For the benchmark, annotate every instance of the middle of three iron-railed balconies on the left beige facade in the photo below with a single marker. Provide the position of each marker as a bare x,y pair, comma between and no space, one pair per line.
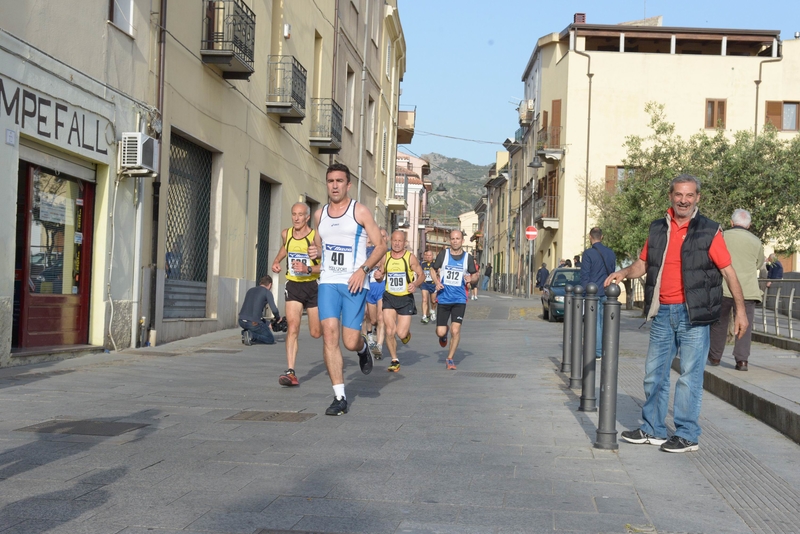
286,91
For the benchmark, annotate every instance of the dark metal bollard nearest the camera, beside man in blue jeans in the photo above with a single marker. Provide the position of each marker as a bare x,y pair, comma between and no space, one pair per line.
607,425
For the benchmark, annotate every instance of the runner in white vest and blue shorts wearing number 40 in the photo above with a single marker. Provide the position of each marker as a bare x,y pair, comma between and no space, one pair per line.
343,226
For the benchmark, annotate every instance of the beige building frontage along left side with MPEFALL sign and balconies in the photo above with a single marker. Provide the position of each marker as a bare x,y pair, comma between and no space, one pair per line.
225,112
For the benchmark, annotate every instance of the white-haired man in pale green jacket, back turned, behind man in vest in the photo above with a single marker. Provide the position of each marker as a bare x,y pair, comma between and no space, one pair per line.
747,257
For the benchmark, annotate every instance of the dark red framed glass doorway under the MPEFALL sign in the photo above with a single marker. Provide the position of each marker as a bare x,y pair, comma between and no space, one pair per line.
52,258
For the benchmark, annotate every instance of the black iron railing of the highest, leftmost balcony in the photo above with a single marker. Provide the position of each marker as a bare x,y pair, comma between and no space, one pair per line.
229,25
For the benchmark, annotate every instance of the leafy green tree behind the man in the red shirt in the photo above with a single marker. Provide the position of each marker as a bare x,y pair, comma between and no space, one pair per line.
759,173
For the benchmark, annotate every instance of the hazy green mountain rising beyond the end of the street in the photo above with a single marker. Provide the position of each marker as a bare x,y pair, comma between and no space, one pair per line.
464,182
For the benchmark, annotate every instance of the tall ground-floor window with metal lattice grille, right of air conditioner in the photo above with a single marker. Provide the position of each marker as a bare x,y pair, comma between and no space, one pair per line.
188,216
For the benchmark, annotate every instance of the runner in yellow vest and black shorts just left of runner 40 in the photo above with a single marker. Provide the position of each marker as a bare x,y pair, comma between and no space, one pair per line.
300,290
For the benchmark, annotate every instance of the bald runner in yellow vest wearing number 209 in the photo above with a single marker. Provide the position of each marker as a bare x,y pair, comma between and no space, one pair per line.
402,273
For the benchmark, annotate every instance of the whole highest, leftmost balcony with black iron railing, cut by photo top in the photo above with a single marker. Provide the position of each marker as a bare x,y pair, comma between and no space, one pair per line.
229,29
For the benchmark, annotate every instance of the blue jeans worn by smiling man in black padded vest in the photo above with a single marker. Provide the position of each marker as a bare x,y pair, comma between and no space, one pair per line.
671,333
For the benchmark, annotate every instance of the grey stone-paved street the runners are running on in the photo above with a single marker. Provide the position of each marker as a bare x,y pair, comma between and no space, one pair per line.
497,446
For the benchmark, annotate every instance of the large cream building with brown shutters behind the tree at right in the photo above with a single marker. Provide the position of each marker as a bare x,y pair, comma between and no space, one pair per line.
587,87
